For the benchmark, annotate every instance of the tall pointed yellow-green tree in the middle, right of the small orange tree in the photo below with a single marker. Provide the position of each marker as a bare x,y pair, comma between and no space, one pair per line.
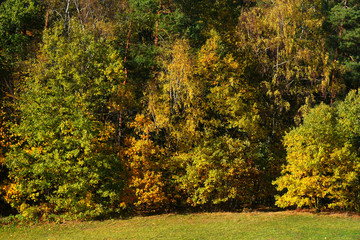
221,165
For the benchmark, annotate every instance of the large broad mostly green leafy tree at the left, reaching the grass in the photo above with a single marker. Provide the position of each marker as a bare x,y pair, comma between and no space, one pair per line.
67,159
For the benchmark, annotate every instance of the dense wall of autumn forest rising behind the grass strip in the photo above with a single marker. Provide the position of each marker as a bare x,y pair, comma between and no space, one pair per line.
149,106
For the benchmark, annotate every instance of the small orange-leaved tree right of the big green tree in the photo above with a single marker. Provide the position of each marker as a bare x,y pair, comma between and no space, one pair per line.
149,186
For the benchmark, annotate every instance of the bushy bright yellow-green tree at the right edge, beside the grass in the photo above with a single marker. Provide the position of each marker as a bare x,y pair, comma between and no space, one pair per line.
322,159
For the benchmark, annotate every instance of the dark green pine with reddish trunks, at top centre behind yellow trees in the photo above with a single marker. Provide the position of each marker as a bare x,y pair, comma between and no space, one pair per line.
142,29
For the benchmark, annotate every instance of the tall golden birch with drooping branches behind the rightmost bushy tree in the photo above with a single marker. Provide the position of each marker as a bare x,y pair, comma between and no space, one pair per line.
284,40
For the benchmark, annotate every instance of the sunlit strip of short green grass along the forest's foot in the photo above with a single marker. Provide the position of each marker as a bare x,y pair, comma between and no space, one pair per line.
277,225
